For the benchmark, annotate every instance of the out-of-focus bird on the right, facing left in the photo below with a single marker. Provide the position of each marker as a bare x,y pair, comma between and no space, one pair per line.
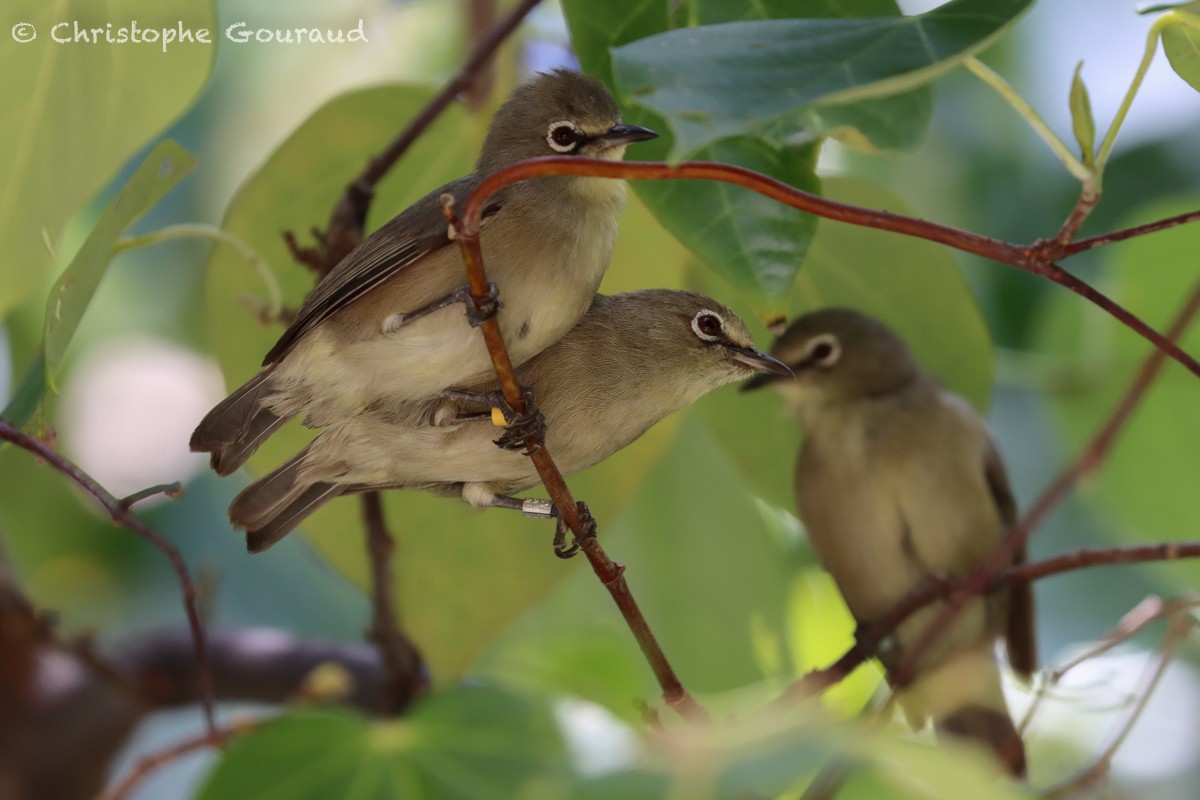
898,484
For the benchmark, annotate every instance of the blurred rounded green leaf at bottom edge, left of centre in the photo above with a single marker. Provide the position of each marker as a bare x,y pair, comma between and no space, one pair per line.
464,744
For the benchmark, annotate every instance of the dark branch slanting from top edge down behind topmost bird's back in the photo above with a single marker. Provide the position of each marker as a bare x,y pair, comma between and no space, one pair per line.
345,231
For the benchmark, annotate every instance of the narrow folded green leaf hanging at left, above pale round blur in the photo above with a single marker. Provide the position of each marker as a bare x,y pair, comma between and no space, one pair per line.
161,170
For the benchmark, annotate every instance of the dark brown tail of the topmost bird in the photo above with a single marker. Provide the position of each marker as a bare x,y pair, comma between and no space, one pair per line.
237,426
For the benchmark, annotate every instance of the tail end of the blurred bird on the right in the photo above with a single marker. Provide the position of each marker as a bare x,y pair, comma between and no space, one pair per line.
967,701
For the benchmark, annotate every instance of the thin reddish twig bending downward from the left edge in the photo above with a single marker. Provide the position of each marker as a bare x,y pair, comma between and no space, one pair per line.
122,516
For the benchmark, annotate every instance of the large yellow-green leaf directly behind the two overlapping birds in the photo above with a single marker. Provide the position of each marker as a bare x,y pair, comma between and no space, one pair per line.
458,570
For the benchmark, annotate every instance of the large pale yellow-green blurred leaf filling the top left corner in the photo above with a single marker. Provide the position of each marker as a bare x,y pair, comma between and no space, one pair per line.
75,113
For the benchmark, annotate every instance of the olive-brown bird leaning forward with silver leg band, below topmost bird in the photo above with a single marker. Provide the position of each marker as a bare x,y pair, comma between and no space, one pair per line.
633,360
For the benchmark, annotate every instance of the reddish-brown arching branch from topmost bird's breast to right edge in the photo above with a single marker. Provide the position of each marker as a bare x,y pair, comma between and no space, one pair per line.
1036,258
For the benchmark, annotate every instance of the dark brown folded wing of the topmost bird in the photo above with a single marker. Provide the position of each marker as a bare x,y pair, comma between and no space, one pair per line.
399,245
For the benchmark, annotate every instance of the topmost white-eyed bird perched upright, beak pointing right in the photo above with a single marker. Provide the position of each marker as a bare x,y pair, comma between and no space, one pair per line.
371,330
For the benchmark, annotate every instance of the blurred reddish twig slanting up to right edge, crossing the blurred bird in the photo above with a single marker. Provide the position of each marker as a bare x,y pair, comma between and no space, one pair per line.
1091,458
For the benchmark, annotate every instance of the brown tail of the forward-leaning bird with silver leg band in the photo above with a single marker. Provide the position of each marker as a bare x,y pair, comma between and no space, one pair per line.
272,508
